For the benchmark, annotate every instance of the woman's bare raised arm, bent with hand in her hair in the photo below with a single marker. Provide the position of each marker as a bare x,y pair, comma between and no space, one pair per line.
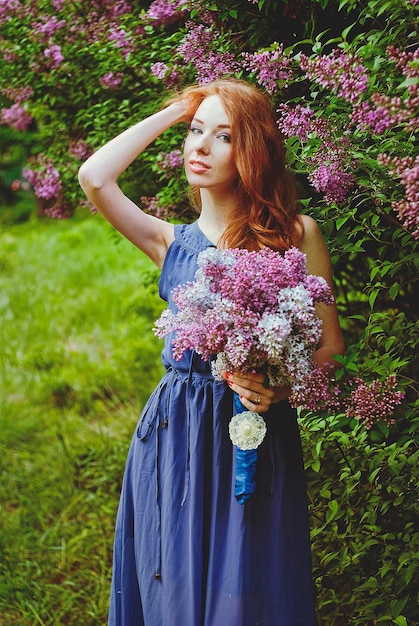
99,174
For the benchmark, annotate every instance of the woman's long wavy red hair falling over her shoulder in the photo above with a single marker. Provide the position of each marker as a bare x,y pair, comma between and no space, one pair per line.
266,210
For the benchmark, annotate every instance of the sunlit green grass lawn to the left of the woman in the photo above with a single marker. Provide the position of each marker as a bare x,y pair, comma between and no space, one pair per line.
77,305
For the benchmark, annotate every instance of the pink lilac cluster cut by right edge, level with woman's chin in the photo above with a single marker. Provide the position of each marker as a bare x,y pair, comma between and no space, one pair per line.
407,170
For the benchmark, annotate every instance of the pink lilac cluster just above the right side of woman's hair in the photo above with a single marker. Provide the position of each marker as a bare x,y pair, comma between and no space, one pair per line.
270,66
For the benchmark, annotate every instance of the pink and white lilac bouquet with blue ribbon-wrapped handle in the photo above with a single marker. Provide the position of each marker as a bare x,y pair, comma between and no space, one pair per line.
249,311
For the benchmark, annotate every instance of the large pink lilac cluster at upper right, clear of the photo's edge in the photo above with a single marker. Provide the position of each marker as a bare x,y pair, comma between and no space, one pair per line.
341,72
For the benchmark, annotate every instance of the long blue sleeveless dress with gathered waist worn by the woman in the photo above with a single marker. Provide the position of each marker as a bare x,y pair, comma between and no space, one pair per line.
186,552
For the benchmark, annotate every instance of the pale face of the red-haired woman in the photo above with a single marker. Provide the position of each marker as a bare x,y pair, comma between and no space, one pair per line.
208,155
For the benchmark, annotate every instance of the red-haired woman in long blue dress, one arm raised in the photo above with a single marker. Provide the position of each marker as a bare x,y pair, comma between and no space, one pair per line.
186,552
